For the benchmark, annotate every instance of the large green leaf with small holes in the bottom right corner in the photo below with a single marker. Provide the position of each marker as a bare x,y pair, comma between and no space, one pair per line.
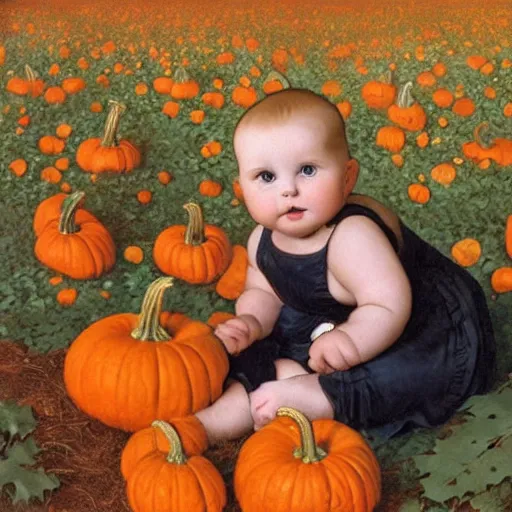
476,454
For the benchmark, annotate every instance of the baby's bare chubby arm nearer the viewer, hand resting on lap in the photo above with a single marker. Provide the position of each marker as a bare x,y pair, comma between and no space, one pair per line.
364,262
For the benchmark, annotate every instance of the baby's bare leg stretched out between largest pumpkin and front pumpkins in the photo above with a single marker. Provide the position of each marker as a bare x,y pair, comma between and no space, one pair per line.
229,417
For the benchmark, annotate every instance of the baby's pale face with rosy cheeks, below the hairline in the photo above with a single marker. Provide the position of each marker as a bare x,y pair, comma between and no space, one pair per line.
291,180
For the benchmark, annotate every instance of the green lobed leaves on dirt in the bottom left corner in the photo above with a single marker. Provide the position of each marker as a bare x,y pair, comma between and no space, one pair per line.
18,478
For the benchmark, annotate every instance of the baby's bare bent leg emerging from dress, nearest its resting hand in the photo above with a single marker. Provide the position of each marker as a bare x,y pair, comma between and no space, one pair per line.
294,388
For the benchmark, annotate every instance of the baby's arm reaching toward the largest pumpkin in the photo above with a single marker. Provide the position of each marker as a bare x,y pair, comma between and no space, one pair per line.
257,308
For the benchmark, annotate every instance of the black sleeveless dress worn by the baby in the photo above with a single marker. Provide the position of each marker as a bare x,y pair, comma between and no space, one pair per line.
445,354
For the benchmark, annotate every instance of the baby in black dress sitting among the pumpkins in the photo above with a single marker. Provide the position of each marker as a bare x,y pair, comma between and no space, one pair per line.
346,313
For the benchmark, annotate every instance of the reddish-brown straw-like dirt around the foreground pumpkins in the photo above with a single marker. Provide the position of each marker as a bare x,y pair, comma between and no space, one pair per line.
85,454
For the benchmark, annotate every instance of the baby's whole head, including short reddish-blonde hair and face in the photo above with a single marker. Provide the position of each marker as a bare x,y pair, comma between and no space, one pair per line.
292,152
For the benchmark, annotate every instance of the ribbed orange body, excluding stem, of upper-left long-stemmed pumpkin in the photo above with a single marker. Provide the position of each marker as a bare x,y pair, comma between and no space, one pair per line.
91,156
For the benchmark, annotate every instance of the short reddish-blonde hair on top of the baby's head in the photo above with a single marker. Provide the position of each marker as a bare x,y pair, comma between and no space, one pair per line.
281,106
